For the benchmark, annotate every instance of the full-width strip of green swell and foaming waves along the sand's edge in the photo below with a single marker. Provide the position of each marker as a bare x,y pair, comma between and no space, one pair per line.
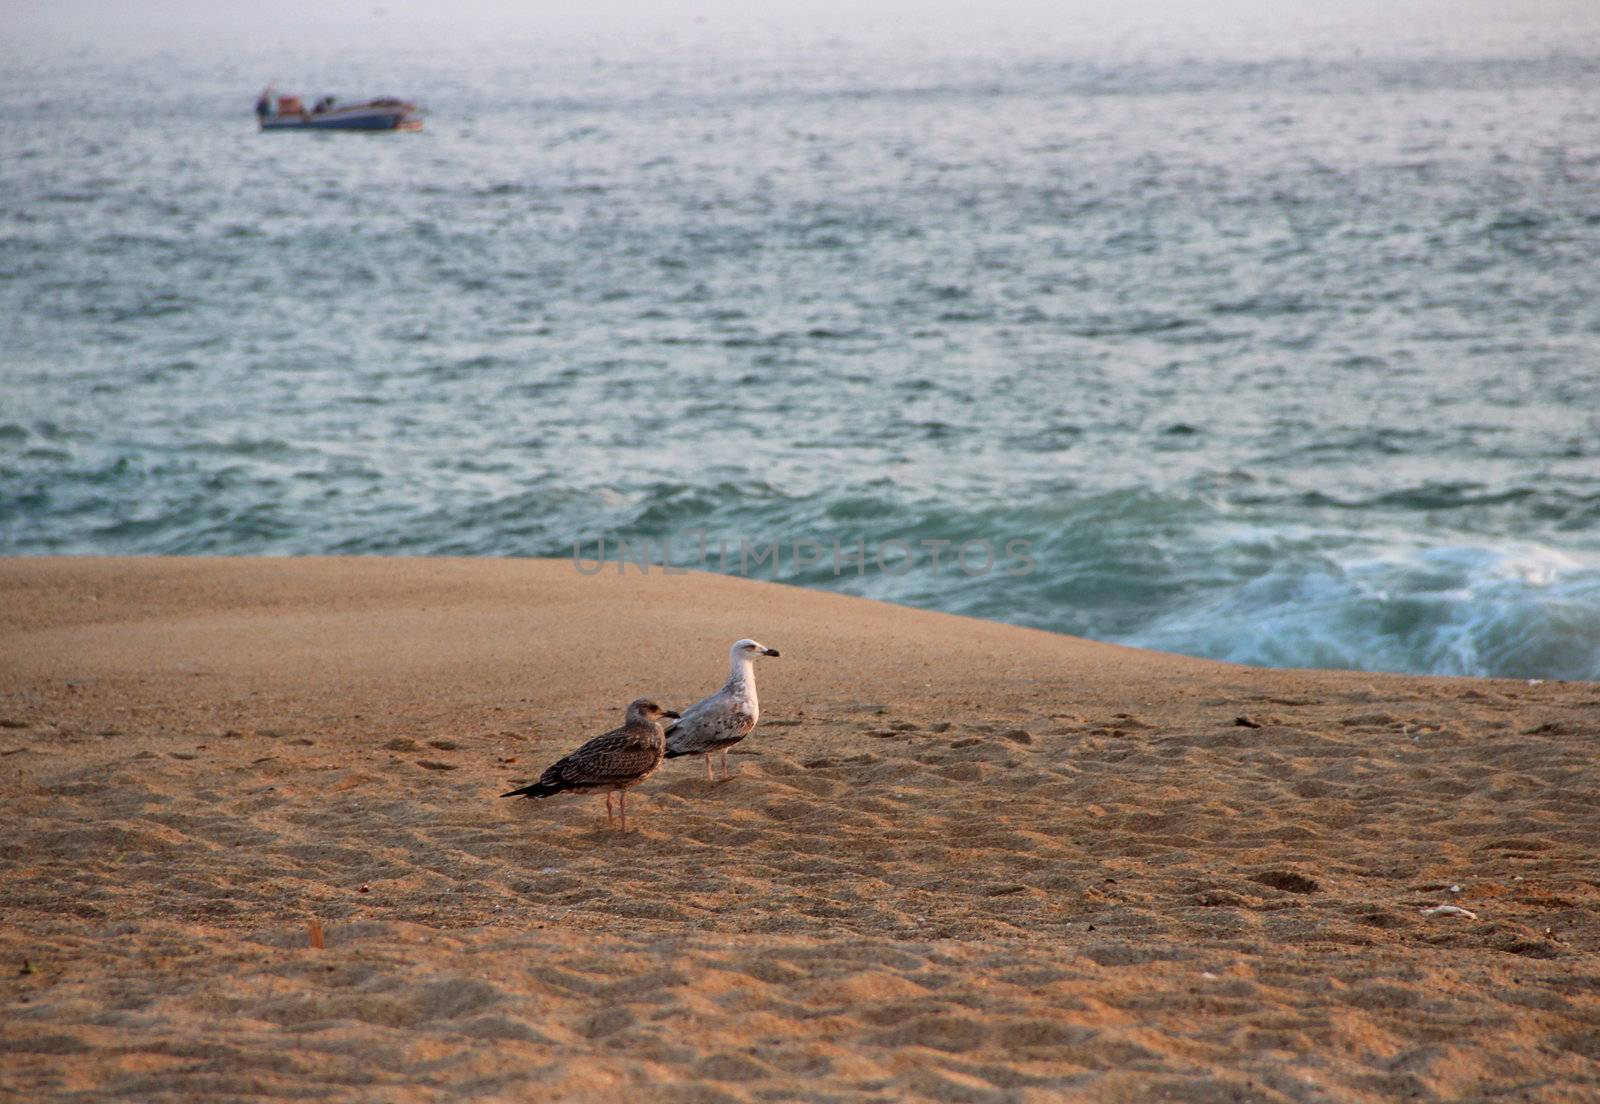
1188,572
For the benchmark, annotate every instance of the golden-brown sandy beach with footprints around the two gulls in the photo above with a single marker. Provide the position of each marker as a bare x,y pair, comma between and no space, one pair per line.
961,862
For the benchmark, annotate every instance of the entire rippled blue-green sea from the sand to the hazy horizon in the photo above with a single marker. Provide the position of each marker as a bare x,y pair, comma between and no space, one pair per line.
1276,340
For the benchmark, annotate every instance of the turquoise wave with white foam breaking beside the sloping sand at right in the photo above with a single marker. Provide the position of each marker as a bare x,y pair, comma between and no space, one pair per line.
1185,574
